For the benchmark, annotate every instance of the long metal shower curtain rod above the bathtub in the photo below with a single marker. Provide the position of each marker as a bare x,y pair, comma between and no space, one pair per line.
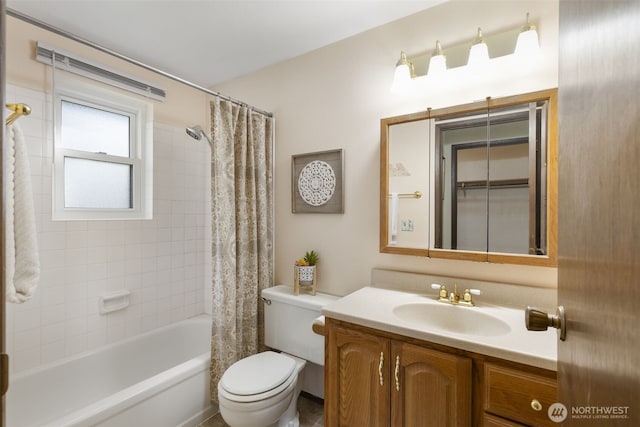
30,20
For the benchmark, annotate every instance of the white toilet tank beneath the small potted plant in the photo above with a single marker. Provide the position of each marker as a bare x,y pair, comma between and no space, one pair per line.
288,319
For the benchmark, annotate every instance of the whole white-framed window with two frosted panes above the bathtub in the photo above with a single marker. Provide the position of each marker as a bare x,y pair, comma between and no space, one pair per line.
103,154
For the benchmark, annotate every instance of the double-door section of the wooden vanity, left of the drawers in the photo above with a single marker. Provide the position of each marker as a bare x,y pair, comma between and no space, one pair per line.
375,380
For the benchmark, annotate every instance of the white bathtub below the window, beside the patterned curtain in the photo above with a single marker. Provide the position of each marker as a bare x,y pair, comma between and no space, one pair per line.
160,378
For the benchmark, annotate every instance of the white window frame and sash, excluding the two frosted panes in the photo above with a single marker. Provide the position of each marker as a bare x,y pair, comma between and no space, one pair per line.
140,113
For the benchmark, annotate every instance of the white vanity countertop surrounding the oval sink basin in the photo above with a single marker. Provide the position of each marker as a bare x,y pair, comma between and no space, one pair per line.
373,307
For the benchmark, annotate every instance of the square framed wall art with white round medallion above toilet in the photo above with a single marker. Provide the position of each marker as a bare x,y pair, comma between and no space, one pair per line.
317,182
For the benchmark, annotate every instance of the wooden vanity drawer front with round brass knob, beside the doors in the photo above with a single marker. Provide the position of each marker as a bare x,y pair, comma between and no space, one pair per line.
519,396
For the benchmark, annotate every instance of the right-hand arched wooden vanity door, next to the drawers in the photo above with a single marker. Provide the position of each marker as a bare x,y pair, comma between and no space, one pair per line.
429,388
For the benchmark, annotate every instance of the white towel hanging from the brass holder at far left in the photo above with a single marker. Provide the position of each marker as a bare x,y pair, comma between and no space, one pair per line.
22,262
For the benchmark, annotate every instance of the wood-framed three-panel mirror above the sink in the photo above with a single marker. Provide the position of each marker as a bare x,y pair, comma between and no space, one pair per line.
473,182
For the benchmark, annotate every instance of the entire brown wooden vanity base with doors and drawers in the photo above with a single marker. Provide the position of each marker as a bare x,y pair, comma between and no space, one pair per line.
377,378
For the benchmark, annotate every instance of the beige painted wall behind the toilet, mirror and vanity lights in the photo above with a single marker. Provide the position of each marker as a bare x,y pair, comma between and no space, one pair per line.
334,97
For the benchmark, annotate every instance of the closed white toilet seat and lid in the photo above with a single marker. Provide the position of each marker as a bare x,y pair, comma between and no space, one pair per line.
258,377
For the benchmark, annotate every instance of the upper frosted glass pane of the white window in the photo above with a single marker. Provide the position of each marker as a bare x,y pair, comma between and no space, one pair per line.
96,131
